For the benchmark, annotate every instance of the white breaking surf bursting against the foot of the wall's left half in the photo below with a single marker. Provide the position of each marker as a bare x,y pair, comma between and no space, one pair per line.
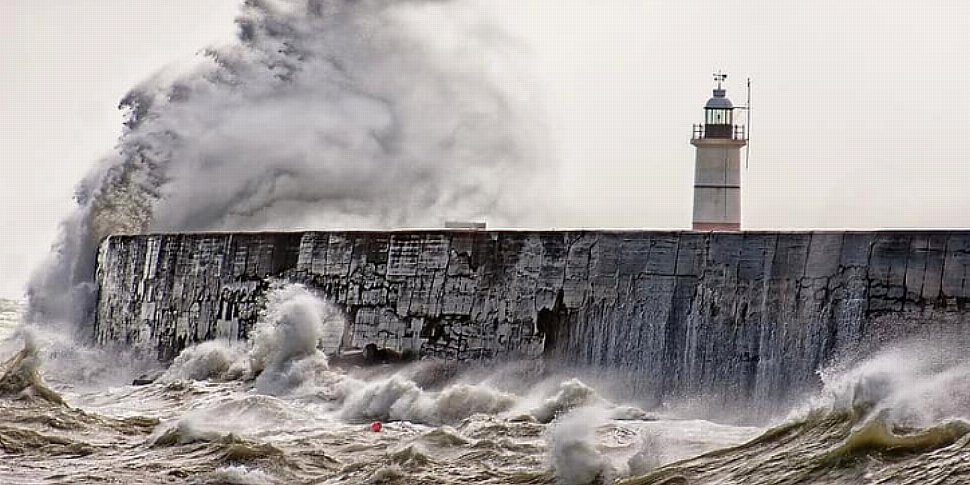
283,357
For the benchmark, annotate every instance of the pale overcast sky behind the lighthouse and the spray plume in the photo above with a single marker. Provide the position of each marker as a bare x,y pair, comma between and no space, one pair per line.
859,121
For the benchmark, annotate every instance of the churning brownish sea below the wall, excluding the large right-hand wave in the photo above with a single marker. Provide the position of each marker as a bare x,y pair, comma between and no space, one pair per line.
273,411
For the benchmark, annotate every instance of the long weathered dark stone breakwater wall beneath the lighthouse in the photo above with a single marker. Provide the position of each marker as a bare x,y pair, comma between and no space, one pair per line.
736,315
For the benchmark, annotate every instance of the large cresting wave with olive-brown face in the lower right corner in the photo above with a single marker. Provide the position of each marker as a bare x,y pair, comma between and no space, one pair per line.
899,417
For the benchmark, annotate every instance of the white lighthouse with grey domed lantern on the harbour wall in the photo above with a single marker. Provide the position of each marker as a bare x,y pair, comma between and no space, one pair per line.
717,176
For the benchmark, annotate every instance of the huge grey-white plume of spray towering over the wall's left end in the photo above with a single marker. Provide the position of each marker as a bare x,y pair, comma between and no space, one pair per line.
325,113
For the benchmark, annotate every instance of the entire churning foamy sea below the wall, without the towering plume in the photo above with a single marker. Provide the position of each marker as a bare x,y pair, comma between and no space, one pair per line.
274,411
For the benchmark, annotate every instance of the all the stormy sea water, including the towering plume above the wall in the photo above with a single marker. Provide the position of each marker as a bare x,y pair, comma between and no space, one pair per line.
389,102
